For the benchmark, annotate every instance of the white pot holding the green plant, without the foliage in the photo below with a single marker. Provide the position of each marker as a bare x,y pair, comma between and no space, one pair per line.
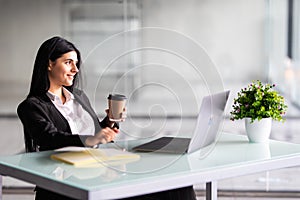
258,131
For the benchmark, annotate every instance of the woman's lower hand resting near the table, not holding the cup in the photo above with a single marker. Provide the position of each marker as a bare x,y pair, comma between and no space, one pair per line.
104,136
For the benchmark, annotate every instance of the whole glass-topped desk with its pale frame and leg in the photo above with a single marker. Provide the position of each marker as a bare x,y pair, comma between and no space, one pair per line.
231,156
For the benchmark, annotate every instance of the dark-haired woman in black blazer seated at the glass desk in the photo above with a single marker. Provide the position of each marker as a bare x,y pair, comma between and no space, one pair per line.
56,114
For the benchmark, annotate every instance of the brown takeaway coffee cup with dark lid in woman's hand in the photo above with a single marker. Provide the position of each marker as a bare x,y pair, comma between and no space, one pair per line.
116,105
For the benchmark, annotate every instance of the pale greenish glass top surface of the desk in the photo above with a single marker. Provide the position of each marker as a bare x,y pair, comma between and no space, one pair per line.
231,151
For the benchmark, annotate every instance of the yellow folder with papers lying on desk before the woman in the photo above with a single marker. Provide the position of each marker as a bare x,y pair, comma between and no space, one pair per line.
87,156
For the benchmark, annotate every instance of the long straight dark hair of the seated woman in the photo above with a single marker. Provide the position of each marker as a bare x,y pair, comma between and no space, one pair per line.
51,49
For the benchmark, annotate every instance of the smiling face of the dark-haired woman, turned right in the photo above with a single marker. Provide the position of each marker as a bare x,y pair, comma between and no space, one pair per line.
61,72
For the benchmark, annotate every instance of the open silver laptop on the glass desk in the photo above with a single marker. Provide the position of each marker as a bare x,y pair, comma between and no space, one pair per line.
205,133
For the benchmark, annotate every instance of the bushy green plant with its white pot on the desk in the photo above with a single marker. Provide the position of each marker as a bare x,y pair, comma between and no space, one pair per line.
258,103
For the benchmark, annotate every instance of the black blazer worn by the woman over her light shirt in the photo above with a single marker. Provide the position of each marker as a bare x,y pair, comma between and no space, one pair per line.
45,128
